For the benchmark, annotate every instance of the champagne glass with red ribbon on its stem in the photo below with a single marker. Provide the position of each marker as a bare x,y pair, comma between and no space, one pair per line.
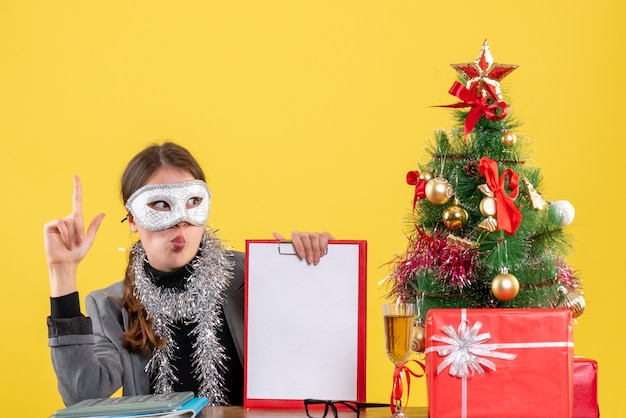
399,318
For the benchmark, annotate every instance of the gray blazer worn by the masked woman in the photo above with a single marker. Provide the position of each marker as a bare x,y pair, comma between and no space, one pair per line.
87,353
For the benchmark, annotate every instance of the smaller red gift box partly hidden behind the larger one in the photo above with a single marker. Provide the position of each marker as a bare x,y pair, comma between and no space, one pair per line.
585,388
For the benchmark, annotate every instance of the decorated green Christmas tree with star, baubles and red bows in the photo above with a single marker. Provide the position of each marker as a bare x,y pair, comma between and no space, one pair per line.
480,233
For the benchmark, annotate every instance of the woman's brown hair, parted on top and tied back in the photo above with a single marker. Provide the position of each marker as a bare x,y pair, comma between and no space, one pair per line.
140,336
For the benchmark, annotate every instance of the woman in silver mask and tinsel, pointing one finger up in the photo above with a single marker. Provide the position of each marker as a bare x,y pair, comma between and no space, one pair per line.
175,322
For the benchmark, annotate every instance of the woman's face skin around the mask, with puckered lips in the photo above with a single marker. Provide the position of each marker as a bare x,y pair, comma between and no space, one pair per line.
171,248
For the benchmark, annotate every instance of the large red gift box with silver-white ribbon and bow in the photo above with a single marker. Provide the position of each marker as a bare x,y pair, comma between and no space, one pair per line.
499,363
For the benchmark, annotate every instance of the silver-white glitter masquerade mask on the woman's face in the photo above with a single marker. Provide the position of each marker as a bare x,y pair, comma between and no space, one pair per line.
160,206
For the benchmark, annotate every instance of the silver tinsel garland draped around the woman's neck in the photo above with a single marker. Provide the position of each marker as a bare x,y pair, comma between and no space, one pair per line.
200,303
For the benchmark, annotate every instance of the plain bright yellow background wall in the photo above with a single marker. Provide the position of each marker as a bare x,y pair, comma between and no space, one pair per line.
305,114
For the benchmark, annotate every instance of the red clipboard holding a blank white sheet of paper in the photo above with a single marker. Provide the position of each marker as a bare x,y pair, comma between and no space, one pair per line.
305,325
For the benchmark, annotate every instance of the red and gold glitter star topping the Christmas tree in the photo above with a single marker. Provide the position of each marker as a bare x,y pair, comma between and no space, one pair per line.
483,75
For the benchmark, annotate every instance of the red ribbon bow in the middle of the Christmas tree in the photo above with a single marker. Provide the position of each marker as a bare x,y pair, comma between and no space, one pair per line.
509,216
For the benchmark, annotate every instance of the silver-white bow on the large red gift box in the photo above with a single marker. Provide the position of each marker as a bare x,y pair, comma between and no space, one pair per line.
465,351
